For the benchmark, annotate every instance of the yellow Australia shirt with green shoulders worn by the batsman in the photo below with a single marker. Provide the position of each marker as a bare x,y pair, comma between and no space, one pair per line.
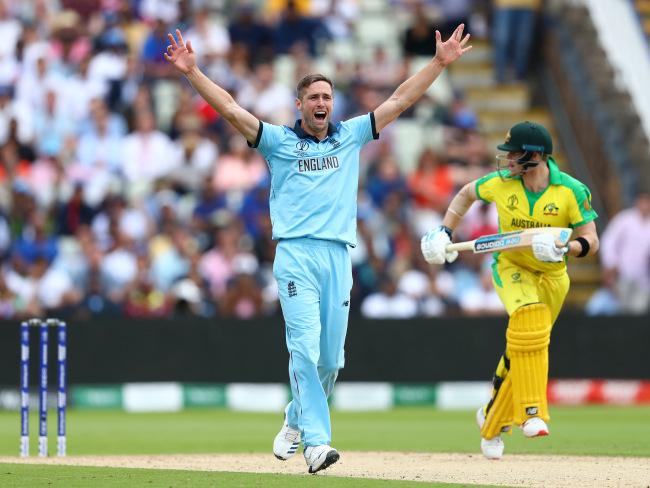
566,202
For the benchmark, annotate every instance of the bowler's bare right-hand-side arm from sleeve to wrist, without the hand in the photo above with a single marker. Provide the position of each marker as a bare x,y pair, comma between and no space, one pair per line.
407,94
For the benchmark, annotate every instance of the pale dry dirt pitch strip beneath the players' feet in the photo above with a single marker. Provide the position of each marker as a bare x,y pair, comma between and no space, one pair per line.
468,469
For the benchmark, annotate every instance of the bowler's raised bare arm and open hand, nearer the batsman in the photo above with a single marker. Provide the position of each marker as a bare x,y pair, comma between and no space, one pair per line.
413,88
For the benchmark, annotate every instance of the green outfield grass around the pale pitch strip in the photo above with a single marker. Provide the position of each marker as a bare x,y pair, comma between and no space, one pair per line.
610,431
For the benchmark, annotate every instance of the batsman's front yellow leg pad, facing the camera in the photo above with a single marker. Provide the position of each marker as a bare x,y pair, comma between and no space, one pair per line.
527,339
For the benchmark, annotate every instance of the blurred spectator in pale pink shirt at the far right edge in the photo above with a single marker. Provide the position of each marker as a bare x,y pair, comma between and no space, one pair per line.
625,254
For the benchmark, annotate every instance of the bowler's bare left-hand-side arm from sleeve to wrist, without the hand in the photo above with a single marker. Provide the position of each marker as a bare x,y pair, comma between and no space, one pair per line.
219,99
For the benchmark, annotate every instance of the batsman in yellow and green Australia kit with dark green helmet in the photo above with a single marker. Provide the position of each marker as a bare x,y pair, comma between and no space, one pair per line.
530,192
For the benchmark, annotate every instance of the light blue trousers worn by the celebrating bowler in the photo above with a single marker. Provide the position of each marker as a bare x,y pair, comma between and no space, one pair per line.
314,278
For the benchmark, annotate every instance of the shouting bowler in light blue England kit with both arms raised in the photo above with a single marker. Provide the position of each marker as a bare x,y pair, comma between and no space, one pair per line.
314,167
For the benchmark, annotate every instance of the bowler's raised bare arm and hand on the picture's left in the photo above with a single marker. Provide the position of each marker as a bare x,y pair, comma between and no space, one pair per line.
182,56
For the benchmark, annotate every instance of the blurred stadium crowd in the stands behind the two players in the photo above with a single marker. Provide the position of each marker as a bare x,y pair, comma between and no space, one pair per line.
122,193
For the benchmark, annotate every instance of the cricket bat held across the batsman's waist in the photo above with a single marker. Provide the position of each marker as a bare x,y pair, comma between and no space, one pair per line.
510,240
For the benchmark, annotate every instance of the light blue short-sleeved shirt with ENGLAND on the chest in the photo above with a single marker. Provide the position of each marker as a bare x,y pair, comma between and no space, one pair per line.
314,183
